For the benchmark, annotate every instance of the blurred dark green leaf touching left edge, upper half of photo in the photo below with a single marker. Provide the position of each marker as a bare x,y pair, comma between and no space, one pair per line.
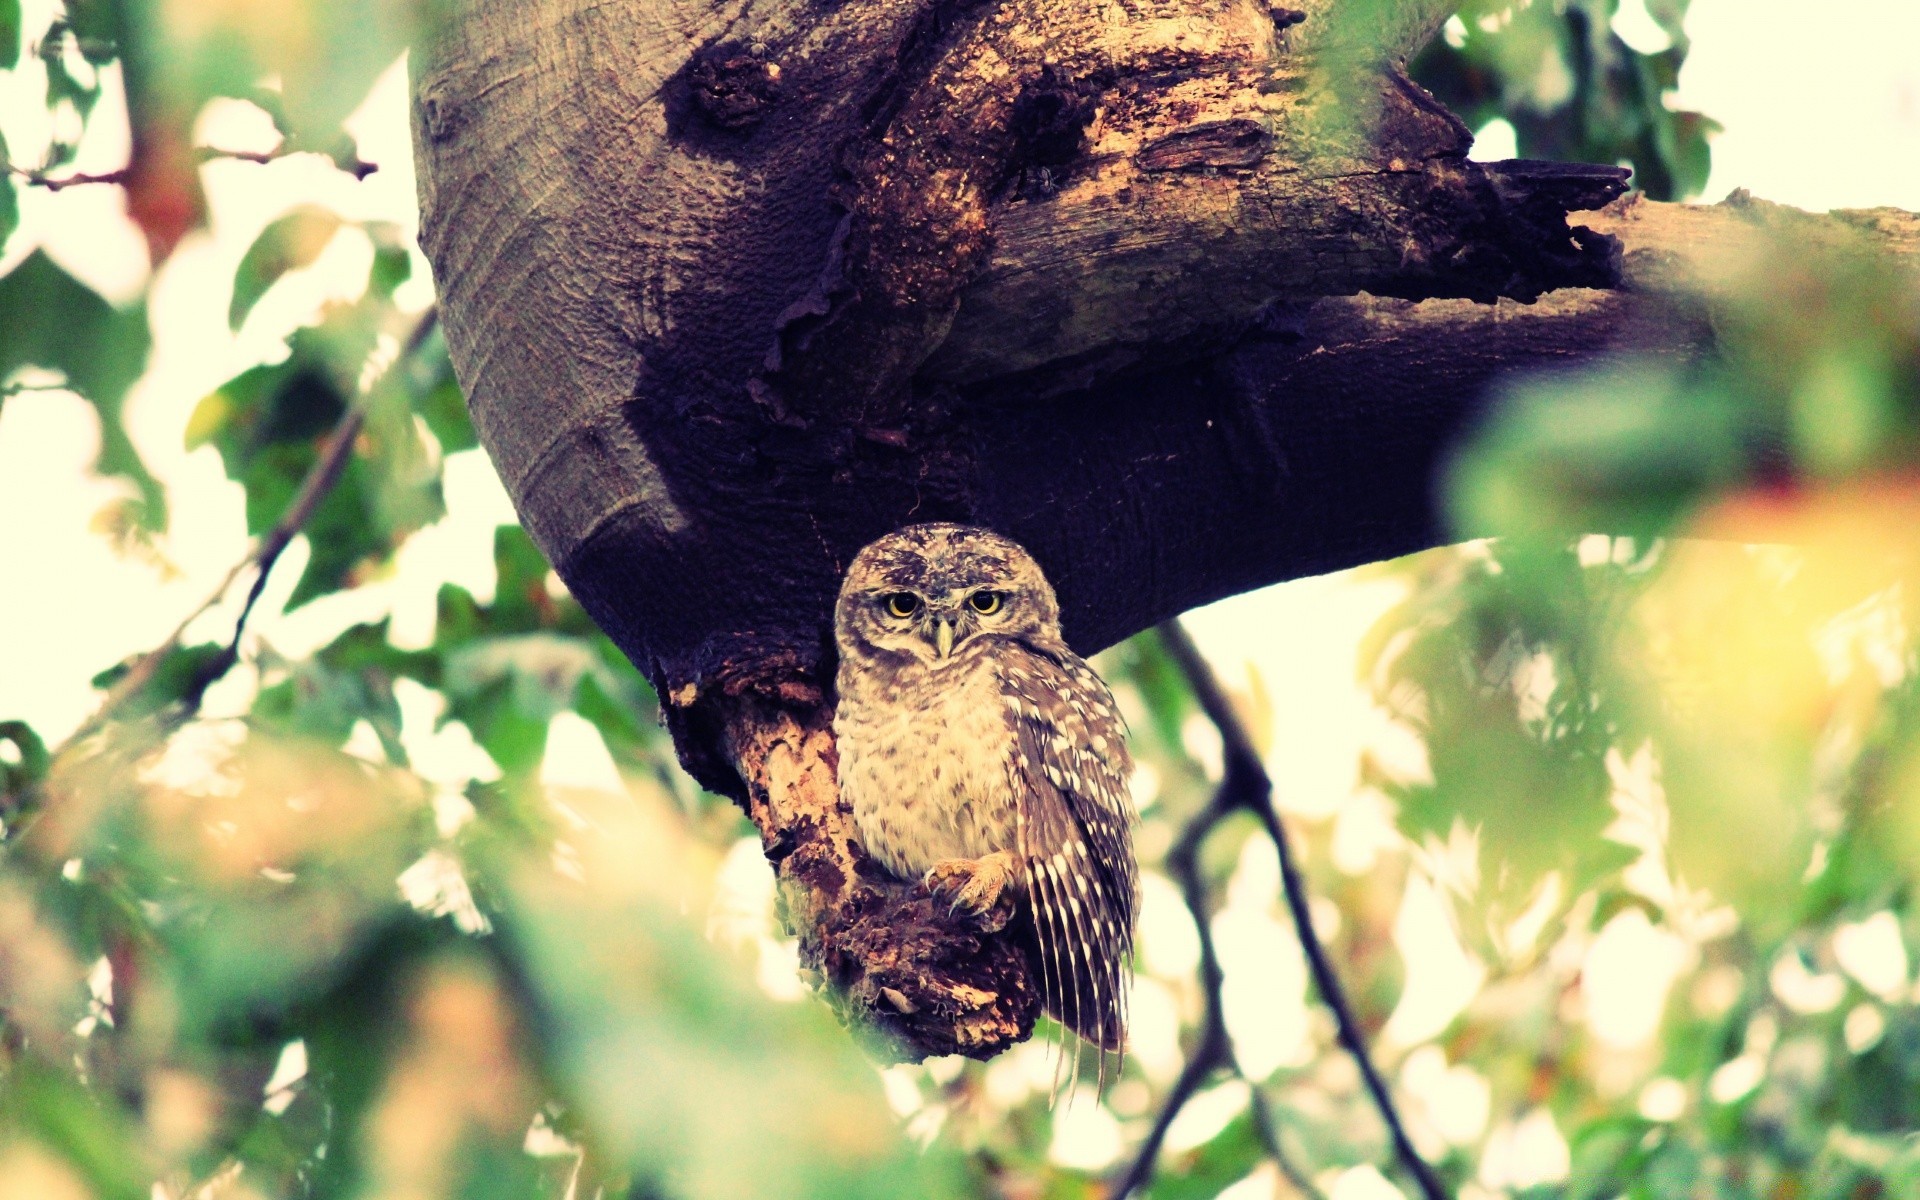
57,324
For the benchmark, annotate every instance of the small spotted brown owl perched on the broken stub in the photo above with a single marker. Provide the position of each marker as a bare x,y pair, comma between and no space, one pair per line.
984,757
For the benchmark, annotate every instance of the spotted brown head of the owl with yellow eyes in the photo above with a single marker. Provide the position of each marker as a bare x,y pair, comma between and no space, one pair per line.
932,588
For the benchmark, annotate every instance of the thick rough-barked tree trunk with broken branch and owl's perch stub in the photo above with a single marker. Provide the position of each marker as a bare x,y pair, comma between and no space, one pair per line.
1186,295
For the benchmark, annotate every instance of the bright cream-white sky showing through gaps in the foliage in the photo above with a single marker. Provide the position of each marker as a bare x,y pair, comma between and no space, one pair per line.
1821,112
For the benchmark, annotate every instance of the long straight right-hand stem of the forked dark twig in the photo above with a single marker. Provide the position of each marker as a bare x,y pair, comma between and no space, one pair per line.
1255,796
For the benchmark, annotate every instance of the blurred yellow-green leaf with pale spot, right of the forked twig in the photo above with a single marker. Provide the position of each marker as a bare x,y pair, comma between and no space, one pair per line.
1518,702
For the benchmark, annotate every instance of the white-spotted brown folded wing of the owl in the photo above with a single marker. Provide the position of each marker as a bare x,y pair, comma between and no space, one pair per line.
1074,836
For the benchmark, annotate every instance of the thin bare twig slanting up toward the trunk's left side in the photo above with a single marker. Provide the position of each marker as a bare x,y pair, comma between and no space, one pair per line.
322,479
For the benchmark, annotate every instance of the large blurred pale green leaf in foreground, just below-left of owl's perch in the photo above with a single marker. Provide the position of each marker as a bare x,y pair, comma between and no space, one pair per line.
656,1036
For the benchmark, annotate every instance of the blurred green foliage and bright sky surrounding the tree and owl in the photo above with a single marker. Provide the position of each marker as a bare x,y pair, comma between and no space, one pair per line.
1612,836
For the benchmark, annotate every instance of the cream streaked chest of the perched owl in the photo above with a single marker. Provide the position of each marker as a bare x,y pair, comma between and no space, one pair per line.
924,765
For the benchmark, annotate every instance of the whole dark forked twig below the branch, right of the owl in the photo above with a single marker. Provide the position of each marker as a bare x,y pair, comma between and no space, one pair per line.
1247,788
